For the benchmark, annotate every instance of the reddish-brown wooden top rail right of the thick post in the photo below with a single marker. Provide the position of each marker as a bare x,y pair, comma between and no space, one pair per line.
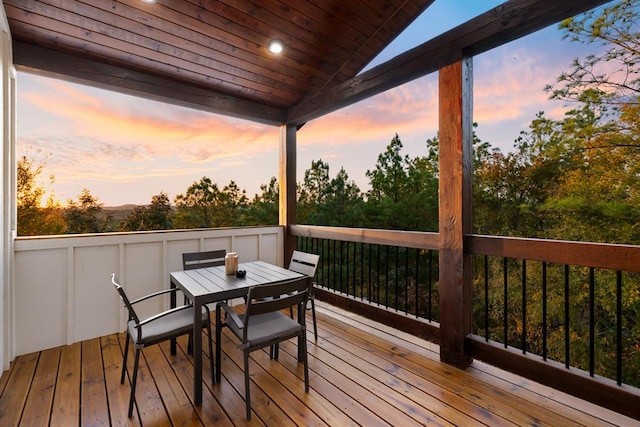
597,255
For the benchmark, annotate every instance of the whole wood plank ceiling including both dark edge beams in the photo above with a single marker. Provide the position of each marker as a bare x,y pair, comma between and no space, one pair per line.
212,55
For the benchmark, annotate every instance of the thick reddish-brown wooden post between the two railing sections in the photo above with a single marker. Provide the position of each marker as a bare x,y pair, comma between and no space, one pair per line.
456,171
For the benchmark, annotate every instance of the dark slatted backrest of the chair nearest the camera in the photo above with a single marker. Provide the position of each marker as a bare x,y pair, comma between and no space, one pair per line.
275,297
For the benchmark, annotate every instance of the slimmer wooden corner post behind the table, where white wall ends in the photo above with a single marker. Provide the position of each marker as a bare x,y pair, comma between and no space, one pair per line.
287,185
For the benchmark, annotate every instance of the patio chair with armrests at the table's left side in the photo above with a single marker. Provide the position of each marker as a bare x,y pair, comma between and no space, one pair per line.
155,329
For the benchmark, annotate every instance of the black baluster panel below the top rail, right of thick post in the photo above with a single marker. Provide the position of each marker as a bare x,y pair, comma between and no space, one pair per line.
573,315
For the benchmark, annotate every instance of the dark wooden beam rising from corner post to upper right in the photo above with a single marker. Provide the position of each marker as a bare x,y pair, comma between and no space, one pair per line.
507,22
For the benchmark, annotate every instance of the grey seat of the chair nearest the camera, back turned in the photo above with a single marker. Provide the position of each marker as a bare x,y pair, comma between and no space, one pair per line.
267,327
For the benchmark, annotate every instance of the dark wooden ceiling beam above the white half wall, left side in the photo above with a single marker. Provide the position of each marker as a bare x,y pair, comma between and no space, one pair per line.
39,60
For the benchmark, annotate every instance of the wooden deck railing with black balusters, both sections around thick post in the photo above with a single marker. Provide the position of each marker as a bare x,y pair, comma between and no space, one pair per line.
562,313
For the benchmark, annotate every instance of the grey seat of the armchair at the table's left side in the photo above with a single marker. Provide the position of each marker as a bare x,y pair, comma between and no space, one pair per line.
177,323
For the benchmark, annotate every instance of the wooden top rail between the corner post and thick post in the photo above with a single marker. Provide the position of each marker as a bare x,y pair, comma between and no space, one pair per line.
409,239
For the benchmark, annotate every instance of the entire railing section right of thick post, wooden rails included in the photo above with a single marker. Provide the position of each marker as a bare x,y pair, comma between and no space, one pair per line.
563,313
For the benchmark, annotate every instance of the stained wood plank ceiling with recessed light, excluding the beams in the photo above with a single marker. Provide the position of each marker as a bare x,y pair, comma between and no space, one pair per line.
218,46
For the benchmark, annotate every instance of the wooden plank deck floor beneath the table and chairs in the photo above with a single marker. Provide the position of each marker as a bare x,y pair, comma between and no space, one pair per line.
361,373
